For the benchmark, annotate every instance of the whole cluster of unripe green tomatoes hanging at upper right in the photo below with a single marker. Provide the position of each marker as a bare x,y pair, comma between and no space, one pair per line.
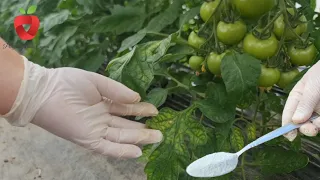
237,34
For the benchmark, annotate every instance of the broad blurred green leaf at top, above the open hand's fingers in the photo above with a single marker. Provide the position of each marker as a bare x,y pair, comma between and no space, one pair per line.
121,20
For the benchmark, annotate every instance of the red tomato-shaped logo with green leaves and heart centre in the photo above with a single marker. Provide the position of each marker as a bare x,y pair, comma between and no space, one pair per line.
27,19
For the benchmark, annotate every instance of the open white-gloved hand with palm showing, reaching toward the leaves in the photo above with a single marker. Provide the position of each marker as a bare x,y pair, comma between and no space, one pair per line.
84,108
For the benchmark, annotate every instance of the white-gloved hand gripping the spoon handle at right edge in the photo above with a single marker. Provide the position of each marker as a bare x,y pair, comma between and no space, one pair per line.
303,100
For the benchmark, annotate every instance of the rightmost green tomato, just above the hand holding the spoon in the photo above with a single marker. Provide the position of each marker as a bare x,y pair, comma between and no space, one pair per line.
302,57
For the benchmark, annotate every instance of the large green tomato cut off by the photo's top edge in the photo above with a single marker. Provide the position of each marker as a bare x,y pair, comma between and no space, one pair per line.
253,8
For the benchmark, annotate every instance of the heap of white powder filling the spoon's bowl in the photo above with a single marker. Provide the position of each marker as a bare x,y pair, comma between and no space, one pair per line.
213,165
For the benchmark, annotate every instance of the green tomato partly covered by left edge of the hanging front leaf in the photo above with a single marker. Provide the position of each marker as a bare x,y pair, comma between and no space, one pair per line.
214,62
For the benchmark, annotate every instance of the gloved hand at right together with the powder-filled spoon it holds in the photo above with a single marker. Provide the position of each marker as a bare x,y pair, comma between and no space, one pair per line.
298,113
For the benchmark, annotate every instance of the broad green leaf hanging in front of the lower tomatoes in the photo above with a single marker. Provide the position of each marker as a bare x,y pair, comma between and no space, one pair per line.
240,73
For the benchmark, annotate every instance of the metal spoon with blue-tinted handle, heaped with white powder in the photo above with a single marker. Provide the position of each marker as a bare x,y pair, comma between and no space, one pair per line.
221,163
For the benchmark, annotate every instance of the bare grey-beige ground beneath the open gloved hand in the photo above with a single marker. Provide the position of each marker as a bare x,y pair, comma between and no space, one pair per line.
31,153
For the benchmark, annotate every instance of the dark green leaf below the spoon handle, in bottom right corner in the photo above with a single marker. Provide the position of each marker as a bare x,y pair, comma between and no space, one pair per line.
273,160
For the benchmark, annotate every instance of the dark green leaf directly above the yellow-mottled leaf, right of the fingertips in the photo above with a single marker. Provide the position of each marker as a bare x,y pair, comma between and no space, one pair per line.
217,106
